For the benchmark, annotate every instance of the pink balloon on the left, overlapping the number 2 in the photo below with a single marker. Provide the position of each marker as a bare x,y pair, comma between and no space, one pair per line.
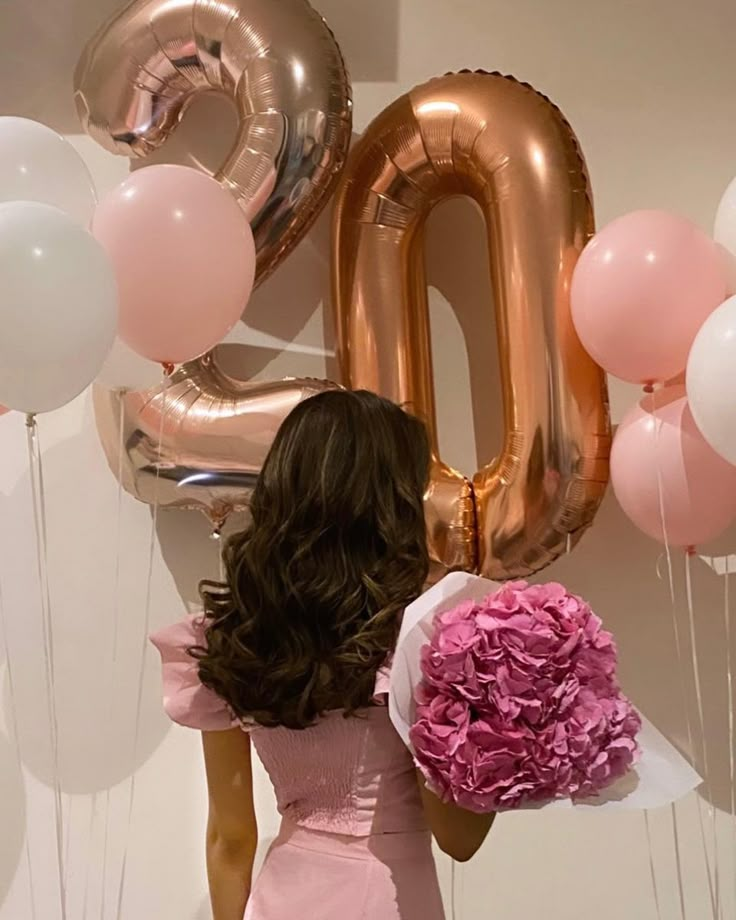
184,258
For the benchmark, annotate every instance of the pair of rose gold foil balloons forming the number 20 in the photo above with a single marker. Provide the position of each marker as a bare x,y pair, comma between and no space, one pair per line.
480,135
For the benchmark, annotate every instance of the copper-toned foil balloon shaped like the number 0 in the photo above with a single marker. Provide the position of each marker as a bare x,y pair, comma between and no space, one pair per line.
506,146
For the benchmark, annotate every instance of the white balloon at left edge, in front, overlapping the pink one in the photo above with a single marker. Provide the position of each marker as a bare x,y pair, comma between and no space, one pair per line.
58,307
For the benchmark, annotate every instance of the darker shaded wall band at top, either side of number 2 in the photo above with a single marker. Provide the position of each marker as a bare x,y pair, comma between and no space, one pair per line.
43,41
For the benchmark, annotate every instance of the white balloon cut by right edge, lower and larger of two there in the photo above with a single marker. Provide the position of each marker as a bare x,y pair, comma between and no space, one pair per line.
711,380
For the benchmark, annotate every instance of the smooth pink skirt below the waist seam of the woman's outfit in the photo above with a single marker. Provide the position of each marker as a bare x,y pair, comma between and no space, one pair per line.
320,876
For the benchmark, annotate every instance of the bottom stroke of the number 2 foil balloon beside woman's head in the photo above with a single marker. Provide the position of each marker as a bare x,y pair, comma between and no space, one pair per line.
199,440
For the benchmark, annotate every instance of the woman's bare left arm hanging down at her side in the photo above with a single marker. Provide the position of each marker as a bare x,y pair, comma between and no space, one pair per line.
232,833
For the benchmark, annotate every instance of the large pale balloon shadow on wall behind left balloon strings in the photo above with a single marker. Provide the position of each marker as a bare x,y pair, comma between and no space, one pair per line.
96,706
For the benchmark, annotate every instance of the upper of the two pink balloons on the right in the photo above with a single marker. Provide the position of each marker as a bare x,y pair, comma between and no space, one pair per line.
641,290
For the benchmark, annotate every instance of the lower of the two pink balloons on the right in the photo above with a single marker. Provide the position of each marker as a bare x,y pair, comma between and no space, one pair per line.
658,446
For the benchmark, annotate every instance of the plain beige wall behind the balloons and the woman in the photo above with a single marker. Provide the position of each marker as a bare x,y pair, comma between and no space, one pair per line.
650,89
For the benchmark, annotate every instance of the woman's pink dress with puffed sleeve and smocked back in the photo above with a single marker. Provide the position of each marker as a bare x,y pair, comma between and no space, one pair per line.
353,843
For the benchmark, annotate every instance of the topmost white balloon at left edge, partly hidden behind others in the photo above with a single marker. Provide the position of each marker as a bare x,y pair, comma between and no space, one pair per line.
37,164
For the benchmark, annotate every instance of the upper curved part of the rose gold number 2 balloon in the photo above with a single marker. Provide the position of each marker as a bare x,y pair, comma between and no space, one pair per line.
280,64
